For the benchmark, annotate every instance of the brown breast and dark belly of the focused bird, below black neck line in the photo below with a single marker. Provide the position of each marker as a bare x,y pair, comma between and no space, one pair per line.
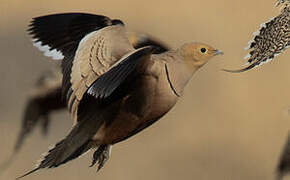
145,105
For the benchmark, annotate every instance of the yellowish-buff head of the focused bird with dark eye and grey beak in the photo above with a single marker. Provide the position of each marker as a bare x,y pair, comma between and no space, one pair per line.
197,54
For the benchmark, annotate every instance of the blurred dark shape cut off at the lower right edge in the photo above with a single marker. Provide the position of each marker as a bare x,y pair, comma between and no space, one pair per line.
283,167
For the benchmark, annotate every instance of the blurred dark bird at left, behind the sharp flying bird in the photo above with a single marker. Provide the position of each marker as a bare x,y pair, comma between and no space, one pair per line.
45,98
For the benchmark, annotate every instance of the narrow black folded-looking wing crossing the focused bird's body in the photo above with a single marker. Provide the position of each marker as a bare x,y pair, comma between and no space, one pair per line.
108,82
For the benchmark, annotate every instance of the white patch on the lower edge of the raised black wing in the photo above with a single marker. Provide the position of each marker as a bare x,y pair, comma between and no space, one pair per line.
53,53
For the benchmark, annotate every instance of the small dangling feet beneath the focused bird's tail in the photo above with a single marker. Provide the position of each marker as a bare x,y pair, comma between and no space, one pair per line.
101,155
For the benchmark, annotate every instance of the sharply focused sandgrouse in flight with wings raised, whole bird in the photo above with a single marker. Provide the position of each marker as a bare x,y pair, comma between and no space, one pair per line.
112,90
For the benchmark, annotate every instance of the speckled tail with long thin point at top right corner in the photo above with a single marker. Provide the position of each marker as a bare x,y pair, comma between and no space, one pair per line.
270,40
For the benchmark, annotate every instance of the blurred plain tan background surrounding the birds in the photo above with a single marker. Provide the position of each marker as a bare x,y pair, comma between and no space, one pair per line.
226,127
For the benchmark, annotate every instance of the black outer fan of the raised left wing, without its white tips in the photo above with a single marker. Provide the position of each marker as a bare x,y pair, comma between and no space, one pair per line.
64,31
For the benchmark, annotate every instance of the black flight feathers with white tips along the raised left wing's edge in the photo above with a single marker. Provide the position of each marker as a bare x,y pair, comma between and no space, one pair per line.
59,35
